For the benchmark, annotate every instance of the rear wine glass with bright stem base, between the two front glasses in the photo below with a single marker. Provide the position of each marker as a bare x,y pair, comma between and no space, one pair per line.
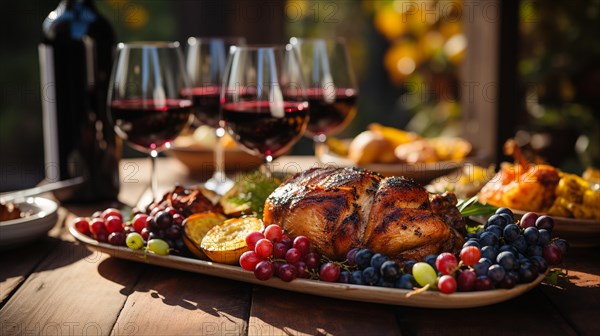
206,58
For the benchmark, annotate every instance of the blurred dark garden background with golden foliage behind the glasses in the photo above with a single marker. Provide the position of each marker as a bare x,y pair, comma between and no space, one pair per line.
409,57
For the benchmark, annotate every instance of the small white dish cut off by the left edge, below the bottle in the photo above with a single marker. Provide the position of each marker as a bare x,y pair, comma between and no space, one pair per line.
21,230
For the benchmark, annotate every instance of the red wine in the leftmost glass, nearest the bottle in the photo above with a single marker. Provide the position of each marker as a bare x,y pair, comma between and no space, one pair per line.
147,125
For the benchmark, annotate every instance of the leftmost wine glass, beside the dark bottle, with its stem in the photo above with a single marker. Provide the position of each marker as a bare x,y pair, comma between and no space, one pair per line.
147,103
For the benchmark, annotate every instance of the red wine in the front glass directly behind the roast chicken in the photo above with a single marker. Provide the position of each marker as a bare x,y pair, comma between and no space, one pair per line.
253,125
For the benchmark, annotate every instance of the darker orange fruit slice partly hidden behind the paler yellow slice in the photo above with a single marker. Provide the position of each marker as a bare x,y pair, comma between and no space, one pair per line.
195,228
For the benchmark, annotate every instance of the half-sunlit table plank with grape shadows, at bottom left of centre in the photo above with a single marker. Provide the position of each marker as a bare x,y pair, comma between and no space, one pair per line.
172,302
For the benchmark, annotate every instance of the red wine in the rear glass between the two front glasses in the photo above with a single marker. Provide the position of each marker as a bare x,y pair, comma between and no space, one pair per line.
206,105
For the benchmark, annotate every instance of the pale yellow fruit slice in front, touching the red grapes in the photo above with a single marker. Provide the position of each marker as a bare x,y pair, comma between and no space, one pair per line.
226,242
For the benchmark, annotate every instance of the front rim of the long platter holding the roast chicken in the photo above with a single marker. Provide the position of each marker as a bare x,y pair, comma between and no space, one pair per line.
427,299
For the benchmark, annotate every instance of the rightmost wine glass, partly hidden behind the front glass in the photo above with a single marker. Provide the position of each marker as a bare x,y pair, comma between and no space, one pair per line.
332,90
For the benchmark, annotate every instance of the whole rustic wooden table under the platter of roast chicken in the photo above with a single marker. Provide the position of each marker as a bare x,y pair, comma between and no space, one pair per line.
57,286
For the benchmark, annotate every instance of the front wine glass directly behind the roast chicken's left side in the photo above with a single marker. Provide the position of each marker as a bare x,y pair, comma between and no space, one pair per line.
263,97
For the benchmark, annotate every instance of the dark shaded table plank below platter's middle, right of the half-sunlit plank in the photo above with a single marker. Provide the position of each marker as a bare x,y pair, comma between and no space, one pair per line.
278,312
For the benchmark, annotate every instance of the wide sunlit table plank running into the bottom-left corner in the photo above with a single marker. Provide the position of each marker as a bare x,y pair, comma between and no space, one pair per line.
73,291
